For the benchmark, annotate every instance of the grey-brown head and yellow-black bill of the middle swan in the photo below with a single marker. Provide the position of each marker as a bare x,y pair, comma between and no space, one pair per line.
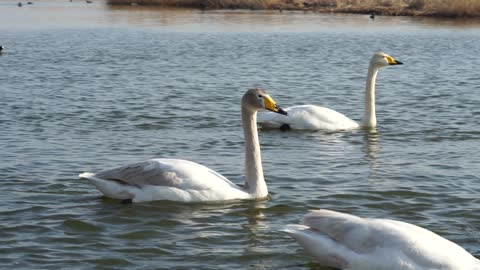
258,99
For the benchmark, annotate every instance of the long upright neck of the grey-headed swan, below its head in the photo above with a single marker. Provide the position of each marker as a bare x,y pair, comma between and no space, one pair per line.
254,181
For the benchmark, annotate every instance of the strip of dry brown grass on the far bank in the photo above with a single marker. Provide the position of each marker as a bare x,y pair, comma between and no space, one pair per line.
446,8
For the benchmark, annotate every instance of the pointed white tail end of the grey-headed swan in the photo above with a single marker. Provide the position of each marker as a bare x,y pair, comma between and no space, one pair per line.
110,188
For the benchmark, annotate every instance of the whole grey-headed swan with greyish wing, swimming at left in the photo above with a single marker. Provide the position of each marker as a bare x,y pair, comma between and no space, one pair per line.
185,181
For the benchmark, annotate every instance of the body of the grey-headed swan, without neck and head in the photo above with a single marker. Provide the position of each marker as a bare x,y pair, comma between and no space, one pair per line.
166,179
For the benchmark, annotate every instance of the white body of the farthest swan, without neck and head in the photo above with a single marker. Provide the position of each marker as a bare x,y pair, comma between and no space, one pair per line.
308,117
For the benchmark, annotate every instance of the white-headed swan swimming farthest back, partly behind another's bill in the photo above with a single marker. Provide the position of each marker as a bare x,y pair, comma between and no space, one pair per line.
311,117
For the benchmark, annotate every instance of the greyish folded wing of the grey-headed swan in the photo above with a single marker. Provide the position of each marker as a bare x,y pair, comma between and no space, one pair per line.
177,173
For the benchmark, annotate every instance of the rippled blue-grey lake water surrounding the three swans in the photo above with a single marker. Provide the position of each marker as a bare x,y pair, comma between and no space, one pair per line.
85,87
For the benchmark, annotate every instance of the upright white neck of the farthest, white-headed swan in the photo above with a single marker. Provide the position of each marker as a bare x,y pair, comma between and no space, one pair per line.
369,116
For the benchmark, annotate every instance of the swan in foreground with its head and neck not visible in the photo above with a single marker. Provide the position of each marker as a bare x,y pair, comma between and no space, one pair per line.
350,242
